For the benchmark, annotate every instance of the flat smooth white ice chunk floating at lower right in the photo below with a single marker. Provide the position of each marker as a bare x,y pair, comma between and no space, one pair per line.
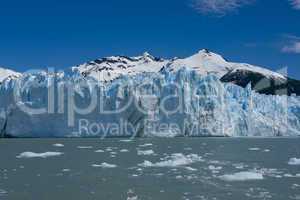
242,176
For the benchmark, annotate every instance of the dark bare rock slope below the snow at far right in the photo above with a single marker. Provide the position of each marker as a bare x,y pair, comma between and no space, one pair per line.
262,84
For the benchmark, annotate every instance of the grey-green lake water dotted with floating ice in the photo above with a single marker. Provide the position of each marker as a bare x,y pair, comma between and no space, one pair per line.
179,168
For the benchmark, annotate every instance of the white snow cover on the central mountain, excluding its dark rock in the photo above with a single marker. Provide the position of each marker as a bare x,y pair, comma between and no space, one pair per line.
204,63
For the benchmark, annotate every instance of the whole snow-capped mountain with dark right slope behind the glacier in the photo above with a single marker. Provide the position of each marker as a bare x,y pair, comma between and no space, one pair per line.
204,62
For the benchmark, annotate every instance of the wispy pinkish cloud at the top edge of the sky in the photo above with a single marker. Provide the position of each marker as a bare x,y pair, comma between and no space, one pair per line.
219,7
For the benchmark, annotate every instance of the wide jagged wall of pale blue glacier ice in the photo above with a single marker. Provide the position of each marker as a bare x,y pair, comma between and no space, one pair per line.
164,104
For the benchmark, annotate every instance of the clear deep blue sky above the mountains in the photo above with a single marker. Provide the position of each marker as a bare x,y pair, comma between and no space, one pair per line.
63,33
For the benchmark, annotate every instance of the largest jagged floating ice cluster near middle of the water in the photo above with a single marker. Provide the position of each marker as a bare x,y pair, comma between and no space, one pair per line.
175,160
